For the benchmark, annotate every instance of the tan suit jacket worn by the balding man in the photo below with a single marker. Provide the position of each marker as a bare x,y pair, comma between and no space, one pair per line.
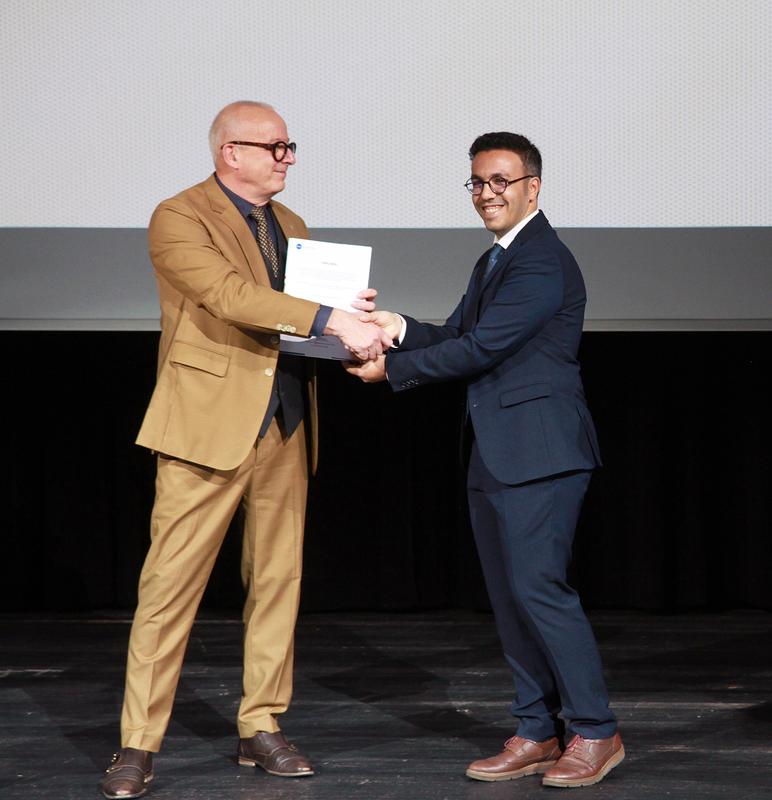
220,326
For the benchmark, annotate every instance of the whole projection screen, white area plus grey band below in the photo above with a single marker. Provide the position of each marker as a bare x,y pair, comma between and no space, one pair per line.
653,119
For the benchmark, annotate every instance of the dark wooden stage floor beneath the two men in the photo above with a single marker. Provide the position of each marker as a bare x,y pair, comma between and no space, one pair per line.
391,706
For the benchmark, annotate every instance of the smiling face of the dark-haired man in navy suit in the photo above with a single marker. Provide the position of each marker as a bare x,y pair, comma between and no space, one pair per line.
501,212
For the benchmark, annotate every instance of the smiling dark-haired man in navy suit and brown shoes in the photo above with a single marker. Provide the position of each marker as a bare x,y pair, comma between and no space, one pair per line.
513,339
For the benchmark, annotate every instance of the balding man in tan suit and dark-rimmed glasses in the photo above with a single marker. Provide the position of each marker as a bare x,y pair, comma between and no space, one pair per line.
228,420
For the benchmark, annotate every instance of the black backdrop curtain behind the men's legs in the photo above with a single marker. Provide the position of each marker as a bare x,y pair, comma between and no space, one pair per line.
679,517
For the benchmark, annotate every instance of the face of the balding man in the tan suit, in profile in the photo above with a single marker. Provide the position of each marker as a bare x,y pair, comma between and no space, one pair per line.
252,172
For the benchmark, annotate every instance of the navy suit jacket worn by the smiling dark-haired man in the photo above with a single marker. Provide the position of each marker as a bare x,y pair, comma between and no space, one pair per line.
513,339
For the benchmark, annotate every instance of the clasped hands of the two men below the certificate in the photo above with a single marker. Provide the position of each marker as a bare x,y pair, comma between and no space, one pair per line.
366,335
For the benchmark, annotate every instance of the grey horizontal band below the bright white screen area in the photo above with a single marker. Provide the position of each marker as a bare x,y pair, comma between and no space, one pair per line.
637,278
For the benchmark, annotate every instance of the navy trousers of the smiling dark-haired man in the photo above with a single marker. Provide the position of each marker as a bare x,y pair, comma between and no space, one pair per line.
524,536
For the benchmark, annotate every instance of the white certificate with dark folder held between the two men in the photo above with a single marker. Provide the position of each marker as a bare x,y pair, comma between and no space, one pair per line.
330,274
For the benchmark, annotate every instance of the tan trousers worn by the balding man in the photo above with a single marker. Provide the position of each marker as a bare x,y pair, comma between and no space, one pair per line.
192,511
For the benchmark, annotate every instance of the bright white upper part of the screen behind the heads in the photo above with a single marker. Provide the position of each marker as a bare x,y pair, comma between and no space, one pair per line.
648,113
